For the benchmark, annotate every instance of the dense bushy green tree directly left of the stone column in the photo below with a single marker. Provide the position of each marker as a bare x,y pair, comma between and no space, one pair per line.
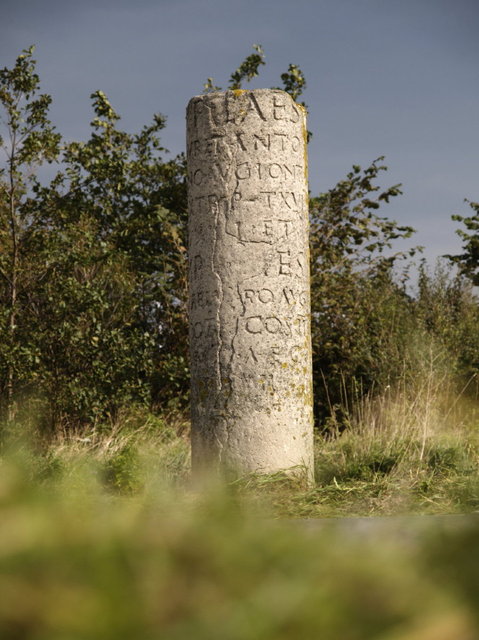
117,278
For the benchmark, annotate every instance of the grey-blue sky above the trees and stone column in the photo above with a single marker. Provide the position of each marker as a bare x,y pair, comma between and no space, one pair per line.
398,78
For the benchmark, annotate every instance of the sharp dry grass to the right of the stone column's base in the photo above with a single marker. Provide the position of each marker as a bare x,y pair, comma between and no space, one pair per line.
404,452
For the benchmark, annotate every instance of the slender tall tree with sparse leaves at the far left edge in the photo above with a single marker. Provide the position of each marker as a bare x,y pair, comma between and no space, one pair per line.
28,141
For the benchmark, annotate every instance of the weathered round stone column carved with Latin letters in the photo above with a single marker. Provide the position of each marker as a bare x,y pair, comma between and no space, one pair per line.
249,305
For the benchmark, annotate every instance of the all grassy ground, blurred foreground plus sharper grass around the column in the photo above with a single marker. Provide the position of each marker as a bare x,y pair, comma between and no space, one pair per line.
105,536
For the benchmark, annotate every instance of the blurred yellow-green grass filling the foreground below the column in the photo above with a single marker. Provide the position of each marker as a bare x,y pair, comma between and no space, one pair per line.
93,549
